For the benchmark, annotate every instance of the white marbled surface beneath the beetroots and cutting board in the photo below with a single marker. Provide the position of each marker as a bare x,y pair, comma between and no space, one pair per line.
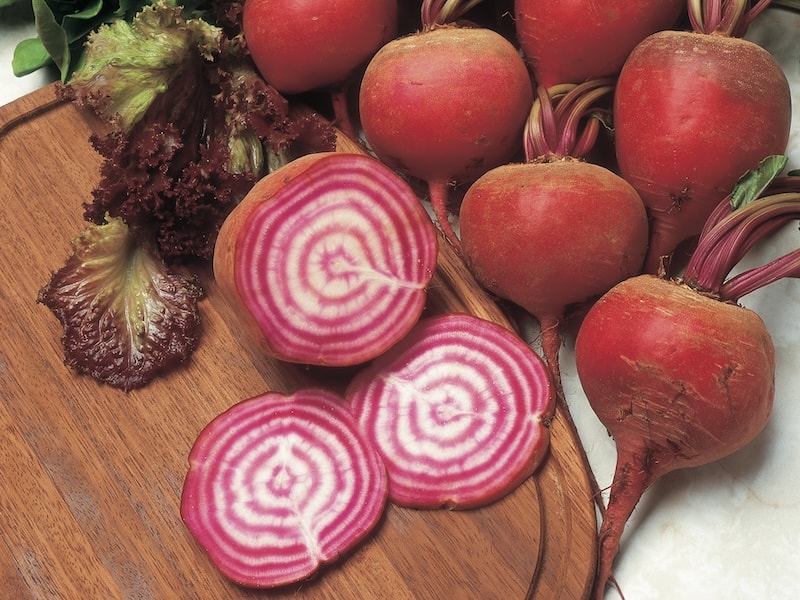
730,530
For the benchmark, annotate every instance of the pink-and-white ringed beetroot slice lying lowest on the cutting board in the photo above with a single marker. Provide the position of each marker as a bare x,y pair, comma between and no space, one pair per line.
279,485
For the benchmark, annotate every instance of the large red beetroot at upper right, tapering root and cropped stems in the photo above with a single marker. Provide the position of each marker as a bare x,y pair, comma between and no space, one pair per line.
692,112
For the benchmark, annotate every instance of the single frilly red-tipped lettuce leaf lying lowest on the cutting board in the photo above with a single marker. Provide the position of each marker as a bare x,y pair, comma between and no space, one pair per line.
126,317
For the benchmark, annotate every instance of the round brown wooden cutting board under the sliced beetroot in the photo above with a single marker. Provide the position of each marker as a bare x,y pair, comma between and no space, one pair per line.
90,477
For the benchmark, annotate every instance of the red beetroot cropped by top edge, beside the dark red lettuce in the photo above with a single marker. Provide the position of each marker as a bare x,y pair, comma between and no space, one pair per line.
312,44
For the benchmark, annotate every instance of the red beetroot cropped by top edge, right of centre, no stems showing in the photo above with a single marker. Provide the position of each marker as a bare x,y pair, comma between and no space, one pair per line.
572,41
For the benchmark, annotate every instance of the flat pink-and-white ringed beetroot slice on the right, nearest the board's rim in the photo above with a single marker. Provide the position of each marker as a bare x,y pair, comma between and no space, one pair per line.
457,410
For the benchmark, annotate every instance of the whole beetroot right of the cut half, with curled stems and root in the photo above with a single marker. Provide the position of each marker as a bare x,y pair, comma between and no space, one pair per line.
557,230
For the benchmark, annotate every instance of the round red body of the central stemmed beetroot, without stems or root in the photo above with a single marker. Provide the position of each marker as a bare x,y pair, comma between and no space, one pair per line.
550,234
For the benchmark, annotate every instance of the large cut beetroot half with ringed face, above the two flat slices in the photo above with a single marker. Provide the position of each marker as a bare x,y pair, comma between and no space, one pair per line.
328,259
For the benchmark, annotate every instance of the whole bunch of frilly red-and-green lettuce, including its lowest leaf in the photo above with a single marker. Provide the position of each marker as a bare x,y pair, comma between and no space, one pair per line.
189,122
